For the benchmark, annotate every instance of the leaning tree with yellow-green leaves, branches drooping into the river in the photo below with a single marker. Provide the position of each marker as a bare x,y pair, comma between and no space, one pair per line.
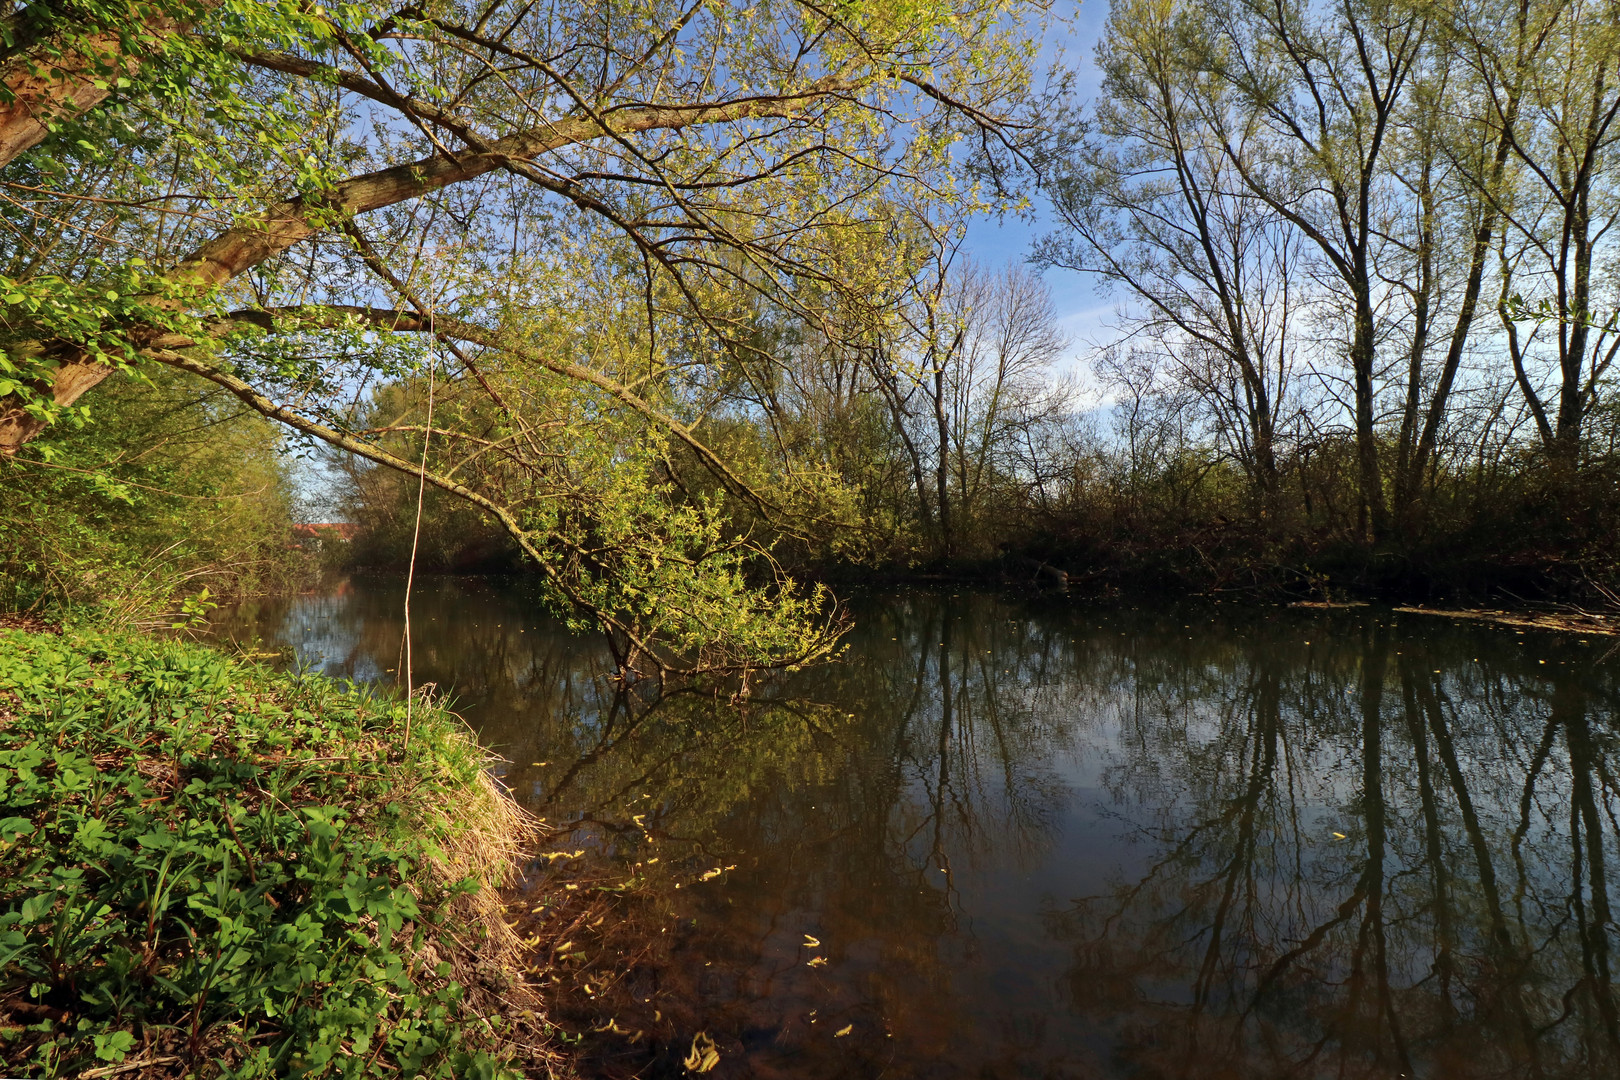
317,187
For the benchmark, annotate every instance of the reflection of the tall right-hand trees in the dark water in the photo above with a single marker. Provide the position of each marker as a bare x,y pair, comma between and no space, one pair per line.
1375,859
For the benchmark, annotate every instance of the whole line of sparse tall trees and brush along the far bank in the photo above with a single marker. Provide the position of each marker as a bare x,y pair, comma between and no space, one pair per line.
1366,283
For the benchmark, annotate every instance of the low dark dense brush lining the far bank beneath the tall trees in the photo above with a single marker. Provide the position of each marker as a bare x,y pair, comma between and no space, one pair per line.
1149,517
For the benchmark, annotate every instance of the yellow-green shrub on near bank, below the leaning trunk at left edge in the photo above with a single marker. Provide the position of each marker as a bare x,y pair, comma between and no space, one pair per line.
169,490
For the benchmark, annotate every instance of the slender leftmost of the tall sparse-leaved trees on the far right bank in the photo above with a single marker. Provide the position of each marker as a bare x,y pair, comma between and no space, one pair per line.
1154,203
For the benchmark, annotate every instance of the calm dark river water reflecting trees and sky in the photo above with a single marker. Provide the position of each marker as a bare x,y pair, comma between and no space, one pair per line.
1028,838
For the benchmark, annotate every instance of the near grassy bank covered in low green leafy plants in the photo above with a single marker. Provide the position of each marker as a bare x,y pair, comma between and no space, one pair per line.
210,869
